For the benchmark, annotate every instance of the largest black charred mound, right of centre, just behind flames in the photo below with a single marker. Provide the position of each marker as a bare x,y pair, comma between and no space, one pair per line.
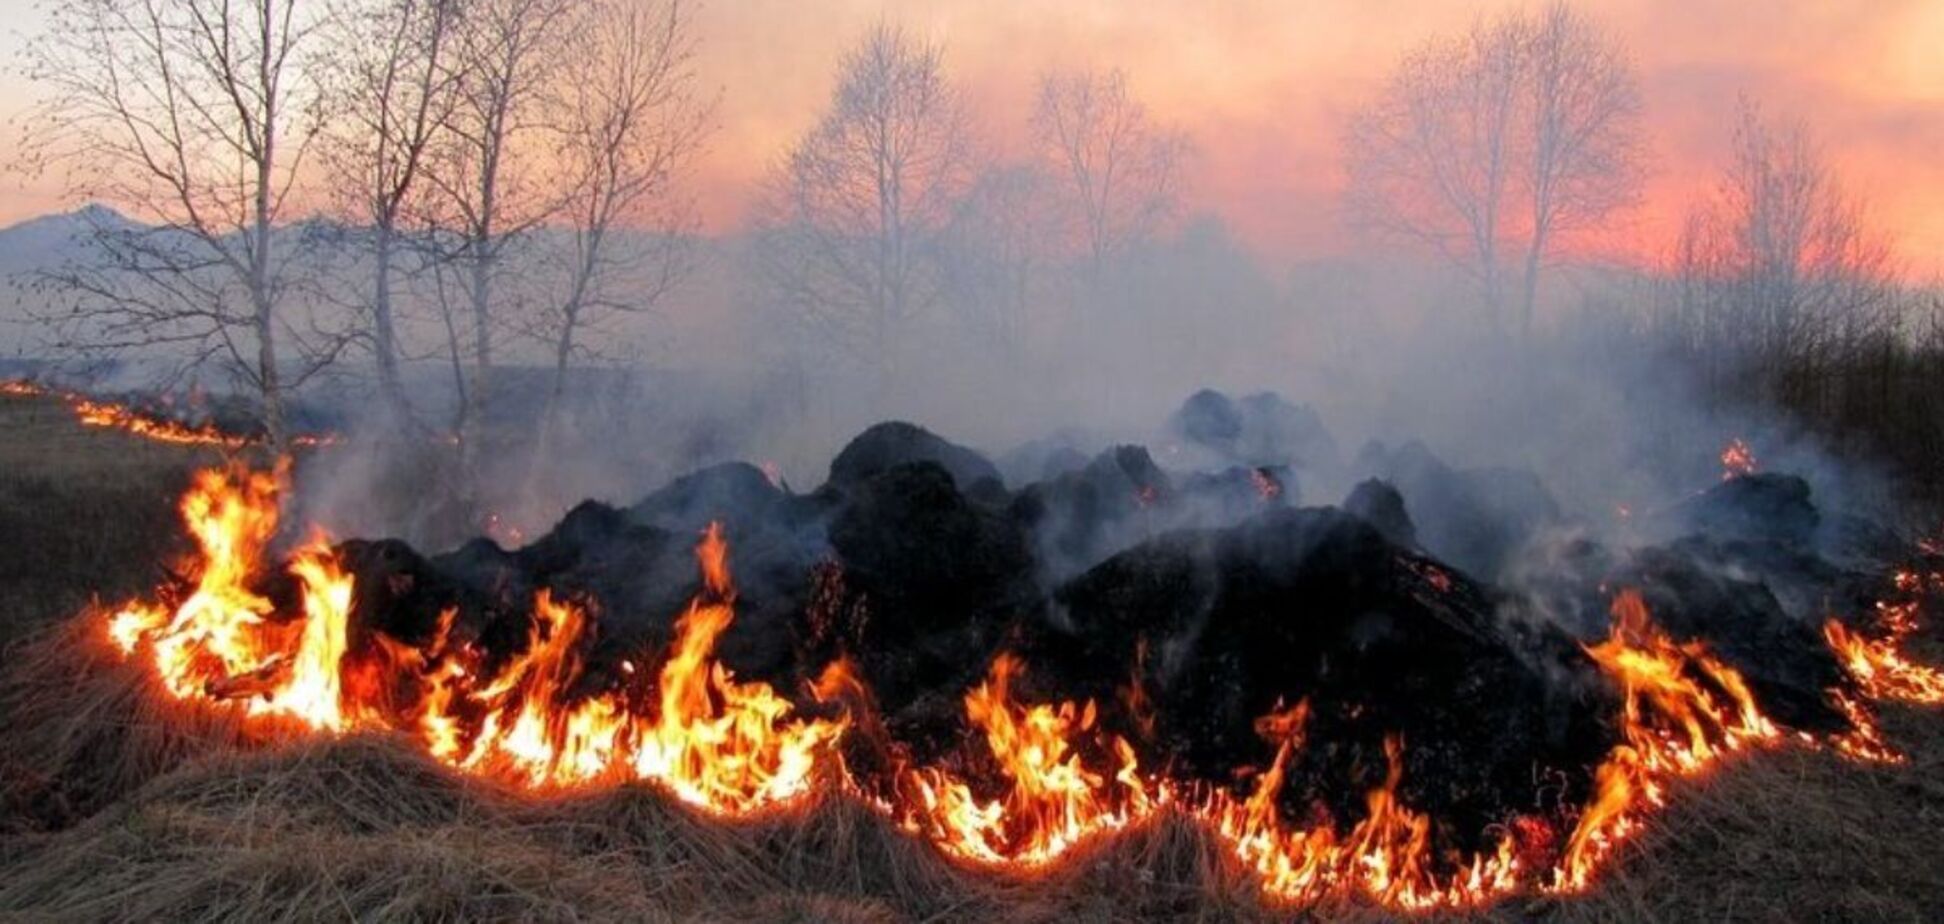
1195,637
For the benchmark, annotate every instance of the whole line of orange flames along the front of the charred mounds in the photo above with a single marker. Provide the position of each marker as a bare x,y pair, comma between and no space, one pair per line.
541,721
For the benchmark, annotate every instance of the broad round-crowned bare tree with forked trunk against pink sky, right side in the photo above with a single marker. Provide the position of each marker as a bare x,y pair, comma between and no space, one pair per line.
1500,141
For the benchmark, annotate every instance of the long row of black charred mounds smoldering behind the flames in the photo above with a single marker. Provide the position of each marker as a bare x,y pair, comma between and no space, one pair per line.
1441,608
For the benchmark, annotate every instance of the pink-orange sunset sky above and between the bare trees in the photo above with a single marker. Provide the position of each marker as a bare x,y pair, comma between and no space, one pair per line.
1263,89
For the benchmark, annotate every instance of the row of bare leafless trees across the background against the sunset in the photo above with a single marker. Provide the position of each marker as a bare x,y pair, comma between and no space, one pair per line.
516,172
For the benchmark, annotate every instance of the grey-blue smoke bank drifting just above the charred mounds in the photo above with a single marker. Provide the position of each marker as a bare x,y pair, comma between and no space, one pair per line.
1340,371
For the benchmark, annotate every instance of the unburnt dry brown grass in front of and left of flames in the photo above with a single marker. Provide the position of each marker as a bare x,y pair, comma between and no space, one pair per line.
110,812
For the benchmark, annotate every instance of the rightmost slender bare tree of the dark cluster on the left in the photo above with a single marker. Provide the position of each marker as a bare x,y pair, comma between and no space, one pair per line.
633,118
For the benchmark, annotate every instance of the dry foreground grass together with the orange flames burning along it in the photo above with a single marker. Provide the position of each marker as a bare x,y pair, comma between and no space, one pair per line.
199,808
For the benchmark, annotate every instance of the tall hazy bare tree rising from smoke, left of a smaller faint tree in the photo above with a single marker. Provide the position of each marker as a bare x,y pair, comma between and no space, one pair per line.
852,217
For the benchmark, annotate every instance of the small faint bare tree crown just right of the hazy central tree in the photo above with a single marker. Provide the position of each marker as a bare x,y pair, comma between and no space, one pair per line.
1119,170
